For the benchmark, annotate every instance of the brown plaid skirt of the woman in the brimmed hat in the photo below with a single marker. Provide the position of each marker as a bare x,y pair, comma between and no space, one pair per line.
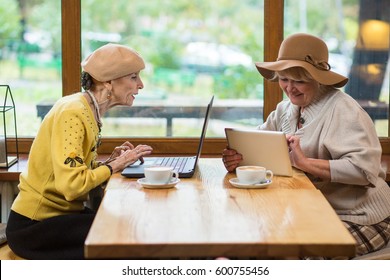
370,238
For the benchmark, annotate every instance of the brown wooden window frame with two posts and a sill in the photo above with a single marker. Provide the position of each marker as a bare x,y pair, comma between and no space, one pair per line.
71,57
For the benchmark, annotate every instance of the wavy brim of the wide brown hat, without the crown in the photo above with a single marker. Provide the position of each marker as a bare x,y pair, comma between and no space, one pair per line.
267,70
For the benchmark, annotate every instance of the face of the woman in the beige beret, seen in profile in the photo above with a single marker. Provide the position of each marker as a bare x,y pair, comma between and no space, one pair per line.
124,89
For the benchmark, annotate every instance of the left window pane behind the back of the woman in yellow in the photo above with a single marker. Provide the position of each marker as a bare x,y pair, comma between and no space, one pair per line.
30,57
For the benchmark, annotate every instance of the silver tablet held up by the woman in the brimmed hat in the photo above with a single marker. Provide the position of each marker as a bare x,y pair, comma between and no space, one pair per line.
261,147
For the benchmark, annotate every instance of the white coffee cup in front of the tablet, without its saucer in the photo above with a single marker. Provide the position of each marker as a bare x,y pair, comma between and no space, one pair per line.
253,174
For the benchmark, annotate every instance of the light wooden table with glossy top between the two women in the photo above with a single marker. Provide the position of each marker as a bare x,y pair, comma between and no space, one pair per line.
207,217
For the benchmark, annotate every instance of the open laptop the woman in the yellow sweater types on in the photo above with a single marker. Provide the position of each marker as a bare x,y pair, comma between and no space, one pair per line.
185,166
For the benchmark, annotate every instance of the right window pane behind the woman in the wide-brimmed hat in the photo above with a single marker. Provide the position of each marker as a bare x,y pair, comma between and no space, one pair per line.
357,36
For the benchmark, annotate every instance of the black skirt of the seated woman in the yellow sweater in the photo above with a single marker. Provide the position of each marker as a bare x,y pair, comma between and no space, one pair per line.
57,238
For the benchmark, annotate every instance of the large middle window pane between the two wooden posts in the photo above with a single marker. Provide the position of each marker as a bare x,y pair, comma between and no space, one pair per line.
193,50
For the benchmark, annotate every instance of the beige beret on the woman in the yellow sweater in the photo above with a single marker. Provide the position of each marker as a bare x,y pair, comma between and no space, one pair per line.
112,61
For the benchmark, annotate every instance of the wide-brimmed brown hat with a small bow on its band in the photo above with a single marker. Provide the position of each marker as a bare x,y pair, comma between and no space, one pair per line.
308,52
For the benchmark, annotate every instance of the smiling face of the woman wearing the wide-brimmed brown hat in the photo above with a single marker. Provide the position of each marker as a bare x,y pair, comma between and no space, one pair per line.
299,87
